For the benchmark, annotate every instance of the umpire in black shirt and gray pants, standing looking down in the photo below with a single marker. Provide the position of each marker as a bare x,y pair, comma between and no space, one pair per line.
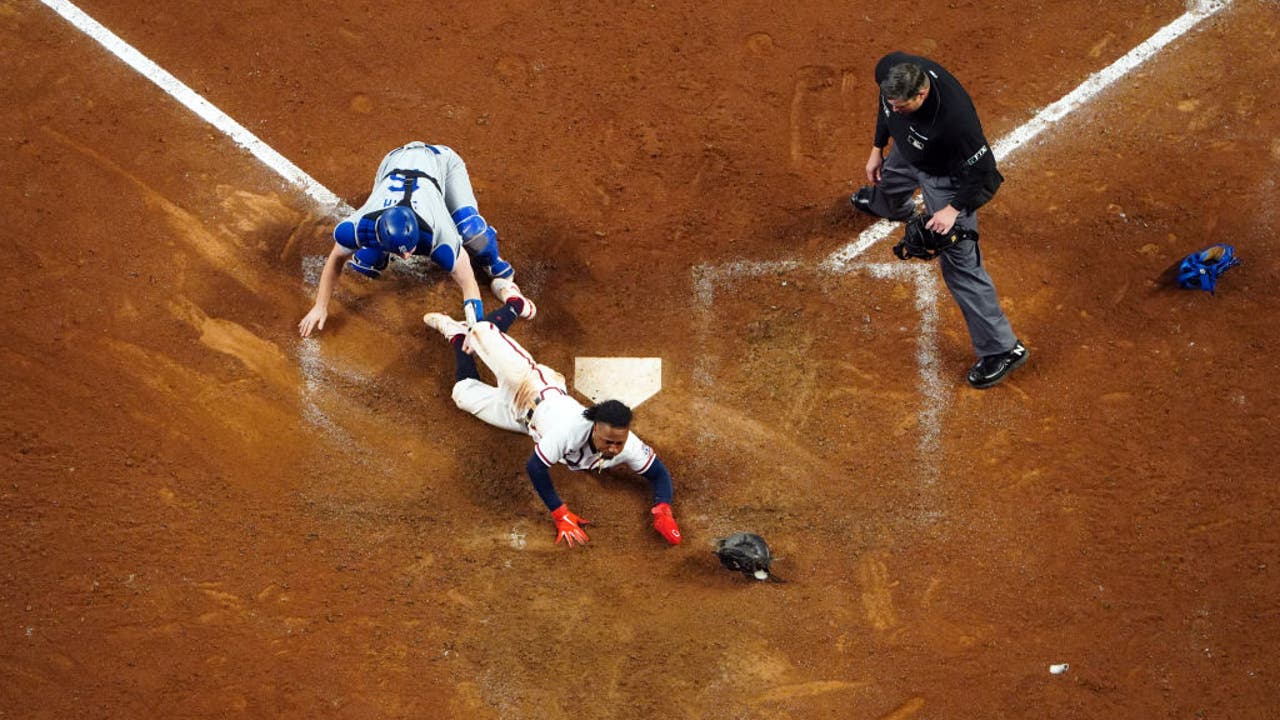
940,148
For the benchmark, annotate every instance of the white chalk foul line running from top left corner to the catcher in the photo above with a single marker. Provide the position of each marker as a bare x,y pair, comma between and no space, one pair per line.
323,197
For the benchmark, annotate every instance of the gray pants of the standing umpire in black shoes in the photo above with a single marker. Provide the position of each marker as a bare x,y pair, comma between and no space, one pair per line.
962,263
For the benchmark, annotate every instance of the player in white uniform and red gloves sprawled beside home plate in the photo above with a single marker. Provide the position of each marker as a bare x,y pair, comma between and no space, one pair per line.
533,399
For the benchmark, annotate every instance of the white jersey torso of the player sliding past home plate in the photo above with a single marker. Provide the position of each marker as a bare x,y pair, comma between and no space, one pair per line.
563,435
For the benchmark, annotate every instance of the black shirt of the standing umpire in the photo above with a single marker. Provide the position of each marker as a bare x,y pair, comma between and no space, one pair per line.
944,138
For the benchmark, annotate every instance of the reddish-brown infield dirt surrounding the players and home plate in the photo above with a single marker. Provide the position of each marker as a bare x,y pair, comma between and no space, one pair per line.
207,517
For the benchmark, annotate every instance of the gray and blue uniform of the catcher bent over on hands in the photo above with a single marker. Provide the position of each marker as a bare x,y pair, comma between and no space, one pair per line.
433,181
